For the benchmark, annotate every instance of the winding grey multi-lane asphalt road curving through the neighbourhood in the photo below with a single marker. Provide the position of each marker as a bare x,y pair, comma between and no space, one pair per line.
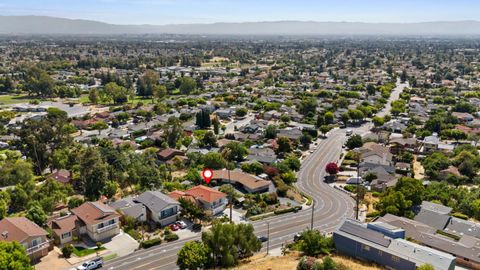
331,206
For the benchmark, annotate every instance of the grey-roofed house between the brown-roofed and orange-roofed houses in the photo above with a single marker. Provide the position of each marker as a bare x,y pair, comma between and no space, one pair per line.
161,209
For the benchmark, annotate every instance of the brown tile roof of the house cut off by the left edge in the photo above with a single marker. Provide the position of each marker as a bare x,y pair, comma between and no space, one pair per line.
19,229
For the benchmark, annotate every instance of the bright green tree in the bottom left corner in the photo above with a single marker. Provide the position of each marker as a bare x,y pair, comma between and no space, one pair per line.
13,256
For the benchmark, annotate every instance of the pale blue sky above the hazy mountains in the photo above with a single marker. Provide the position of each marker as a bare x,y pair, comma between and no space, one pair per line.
209,11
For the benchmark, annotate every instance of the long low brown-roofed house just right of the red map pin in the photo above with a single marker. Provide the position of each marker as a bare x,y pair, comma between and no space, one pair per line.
244,181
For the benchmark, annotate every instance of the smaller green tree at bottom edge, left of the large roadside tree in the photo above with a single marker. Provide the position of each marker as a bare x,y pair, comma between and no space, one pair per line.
192,256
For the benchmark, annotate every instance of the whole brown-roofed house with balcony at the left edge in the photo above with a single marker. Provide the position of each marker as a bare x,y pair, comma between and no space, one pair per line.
28,234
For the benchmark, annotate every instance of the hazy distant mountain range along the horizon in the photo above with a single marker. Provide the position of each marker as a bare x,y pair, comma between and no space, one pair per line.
52,25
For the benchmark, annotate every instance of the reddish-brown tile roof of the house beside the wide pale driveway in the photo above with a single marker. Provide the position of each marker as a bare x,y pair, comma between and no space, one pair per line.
94,212
